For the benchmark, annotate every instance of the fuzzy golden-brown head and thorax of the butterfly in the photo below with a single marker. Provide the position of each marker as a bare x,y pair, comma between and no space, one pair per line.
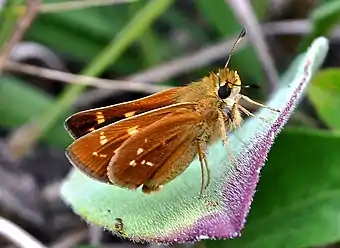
210,106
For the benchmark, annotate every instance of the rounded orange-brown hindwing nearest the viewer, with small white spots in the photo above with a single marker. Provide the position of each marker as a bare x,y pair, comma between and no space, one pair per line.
139,157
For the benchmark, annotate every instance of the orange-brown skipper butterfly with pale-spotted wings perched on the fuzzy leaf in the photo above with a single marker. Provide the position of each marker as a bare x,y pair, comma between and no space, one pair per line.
150,141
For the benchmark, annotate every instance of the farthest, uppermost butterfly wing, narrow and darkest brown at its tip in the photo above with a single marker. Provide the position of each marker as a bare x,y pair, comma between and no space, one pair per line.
88,121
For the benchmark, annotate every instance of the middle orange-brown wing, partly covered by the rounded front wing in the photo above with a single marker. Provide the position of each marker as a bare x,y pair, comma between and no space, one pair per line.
92,153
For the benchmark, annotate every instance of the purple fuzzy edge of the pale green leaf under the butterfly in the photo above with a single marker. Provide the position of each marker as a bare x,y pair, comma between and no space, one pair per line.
238,192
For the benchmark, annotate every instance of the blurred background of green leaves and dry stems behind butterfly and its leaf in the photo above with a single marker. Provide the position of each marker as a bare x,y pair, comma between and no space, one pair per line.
167,43
